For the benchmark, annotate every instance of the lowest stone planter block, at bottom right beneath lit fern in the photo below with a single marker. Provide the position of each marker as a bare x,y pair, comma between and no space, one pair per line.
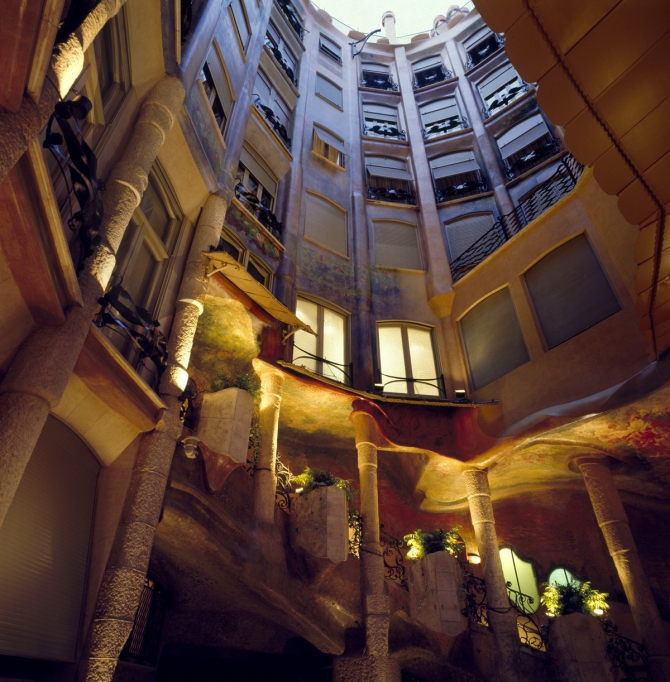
579,649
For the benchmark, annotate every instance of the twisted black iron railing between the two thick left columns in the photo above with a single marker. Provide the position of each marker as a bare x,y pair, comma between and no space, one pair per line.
120,313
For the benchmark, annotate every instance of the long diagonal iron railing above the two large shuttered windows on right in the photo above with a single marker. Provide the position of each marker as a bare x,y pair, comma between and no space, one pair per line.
544,196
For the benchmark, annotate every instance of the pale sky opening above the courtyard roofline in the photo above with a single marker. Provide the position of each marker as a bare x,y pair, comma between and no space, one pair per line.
412,16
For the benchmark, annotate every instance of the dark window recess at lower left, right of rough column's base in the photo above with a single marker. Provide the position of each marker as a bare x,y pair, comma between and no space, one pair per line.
143,644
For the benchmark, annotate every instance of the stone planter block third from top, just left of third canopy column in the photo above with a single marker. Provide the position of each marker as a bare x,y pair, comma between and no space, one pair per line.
435,591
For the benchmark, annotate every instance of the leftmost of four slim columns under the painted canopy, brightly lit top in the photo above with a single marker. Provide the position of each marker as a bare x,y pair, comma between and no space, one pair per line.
265,480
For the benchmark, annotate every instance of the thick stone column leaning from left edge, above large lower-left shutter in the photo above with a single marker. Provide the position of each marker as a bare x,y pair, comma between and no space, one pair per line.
40,371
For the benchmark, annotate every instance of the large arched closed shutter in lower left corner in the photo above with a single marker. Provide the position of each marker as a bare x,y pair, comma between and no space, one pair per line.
44,548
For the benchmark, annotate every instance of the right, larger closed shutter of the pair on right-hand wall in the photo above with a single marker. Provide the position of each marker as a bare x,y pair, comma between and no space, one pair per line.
570,291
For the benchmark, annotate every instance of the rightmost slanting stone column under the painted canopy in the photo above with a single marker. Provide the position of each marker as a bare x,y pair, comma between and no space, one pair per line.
613,522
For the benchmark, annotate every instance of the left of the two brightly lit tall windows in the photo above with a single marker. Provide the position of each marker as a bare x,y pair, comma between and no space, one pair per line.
326,353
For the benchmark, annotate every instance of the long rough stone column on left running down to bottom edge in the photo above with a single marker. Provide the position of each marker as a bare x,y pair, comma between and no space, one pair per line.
128,562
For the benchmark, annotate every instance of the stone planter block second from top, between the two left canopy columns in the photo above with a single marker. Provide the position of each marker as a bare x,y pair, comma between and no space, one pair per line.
319,524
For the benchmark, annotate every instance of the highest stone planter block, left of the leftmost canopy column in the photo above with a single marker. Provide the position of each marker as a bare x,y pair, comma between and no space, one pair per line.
225,421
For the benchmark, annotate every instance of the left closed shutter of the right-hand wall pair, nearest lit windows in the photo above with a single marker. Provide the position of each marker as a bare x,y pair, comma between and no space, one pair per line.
494,344
